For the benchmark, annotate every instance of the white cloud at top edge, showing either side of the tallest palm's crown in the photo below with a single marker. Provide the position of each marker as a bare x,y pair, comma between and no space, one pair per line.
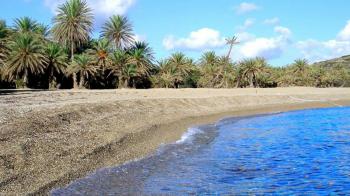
101,8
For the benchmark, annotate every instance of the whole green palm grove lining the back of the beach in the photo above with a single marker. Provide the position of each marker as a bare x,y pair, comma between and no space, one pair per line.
65,56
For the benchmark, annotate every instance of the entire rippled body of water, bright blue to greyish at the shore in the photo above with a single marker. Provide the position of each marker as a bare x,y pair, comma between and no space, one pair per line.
302,152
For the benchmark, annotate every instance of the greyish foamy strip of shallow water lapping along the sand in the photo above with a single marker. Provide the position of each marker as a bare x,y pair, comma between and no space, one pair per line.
192,141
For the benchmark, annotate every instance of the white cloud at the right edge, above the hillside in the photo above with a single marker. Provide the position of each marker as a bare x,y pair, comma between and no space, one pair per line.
316,50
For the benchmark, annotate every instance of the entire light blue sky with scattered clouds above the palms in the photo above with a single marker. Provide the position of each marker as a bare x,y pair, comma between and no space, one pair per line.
279,30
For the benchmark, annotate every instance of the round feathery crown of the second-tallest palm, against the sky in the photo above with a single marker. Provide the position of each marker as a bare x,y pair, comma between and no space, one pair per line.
118,30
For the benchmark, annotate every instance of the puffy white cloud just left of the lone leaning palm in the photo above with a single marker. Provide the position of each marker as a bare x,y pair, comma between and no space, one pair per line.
201,39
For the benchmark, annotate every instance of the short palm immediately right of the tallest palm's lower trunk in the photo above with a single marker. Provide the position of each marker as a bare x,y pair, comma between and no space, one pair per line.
82,65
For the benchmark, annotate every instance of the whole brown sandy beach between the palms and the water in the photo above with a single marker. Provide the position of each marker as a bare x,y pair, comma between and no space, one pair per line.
48,139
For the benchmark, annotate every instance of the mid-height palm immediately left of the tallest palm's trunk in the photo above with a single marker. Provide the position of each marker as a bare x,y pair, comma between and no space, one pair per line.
56,61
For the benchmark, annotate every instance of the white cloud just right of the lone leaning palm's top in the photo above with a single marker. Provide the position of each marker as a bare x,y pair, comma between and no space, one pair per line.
268,48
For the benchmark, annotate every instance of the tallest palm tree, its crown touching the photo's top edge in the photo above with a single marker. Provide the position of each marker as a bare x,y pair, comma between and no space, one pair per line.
72,26
